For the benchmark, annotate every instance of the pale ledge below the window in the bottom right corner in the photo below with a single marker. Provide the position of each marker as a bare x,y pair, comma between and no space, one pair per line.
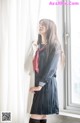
62,119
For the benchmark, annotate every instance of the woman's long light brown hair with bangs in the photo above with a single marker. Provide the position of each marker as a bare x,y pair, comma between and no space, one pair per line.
51,37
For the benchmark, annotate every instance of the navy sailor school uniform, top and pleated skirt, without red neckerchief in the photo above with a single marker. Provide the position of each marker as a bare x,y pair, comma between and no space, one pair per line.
45,101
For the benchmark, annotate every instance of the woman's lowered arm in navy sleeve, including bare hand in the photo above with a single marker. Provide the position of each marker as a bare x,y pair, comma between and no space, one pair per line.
48,73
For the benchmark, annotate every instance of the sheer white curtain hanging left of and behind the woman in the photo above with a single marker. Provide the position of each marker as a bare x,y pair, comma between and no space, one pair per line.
18,28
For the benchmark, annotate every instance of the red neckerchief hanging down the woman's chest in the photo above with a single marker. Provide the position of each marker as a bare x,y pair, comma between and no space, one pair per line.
36,59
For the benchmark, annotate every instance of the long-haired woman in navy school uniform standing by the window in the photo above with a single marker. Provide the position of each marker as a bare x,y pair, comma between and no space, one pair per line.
45,60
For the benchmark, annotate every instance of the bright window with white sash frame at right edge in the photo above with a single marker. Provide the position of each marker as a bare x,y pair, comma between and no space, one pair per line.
72,51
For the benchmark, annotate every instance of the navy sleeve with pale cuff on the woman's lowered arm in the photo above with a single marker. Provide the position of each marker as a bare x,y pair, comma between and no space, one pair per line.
50,69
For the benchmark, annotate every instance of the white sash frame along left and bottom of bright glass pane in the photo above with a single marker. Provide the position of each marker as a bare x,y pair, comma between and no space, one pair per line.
68,105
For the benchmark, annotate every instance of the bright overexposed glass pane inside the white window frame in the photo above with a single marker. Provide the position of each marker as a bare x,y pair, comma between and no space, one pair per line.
75,54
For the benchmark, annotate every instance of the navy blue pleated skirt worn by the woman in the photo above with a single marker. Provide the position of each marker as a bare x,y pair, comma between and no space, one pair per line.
45,101
